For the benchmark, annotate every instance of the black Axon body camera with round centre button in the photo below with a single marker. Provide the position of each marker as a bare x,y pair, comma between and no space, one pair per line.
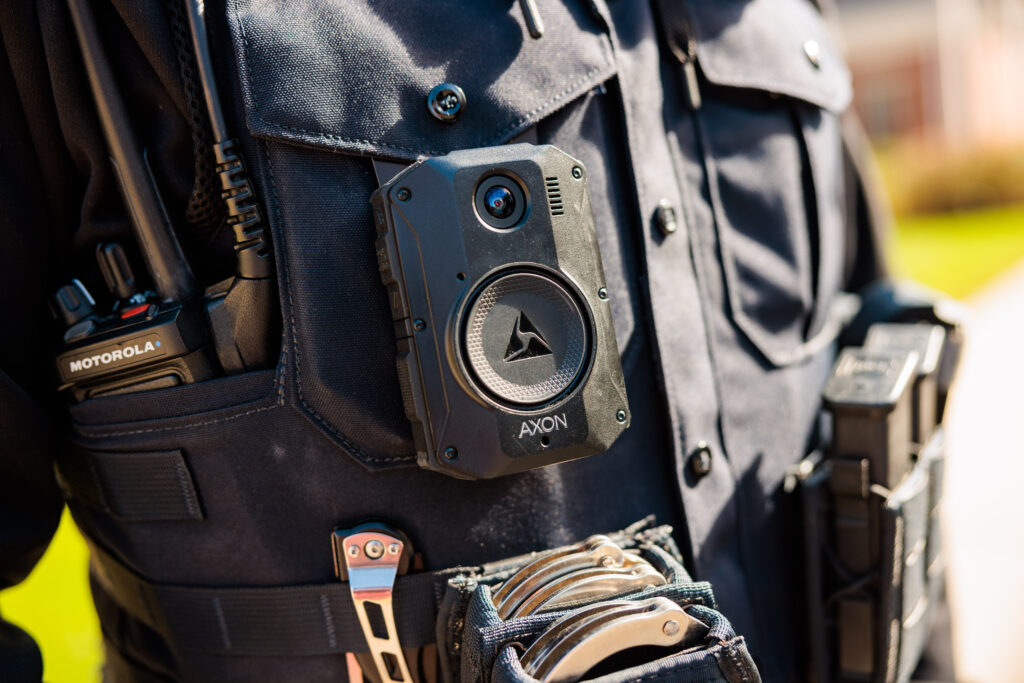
507,356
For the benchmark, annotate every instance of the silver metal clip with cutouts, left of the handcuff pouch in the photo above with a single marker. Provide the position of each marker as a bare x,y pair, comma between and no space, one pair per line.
369,558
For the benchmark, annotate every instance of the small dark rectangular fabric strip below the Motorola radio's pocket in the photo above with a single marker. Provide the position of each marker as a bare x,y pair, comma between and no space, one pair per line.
135,487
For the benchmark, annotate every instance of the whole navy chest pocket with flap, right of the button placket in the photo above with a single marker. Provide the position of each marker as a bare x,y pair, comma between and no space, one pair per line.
771,136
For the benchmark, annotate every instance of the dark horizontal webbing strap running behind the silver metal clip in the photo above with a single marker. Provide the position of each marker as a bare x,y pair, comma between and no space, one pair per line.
290,621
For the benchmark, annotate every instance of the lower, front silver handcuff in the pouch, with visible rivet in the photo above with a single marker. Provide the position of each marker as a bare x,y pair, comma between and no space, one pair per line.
579,642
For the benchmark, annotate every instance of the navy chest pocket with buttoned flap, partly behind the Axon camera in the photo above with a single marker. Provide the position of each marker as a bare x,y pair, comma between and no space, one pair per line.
326,86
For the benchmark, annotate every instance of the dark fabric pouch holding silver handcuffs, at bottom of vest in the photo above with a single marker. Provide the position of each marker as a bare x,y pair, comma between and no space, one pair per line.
478,644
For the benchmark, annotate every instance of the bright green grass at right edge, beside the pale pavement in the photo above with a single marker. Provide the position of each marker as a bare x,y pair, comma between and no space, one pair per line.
959,253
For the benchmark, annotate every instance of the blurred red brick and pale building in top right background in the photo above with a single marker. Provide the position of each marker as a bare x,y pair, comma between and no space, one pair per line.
945,71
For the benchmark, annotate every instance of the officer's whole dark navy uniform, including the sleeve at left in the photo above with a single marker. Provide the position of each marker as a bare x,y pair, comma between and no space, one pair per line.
722,316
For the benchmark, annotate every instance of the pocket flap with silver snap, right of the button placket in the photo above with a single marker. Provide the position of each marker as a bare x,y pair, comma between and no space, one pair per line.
781,47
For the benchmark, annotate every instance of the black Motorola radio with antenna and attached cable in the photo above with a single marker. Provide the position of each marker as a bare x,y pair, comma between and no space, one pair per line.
176,334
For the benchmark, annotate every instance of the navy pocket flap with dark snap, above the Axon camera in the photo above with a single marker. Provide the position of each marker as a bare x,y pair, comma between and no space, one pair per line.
356,75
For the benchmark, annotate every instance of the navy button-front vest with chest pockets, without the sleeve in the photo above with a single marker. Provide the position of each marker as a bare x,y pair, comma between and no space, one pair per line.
720,193
